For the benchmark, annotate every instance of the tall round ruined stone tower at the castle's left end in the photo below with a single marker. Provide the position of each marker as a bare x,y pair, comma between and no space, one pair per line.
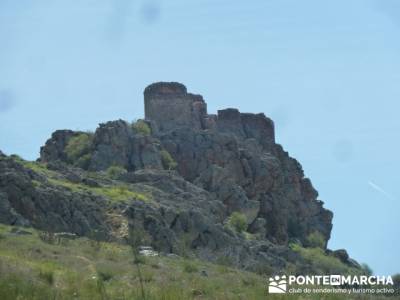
169,105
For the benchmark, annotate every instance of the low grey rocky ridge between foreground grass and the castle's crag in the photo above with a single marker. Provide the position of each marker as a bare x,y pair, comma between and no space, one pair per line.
179,217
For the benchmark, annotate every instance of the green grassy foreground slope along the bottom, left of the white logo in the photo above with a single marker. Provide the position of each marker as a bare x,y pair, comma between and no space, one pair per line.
86,269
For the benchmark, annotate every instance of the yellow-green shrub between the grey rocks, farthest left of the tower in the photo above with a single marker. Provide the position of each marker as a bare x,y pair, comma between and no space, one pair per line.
78,146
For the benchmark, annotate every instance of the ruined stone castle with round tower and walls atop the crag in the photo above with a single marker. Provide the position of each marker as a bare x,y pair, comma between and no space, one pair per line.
168,106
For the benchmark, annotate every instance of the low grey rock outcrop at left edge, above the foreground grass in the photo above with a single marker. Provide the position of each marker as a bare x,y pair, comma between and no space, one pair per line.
28,198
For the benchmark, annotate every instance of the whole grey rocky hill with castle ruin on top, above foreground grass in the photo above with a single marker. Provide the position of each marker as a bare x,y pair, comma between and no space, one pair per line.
216,187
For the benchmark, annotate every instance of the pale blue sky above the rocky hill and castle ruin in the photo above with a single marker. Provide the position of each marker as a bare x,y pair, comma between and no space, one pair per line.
327,73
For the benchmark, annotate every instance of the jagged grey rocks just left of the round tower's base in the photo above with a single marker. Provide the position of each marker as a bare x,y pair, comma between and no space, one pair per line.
114,143
